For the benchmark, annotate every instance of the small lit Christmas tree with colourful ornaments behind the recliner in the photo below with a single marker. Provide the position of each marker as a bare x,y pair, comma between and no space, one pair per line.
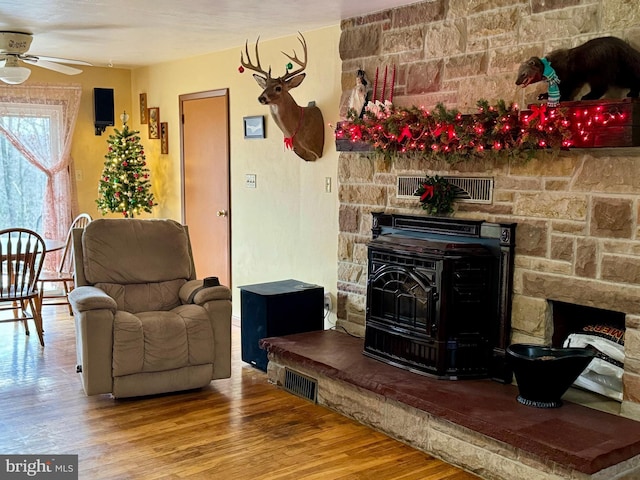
124,185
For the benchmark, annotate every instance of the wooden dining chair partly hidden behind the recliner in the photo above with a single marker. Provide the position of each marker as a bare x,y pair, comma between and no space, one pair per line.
65,273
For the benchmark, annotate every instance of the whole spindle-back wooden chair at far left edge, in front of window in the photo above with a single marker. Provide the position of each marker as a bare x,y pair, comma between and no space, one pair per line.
21,257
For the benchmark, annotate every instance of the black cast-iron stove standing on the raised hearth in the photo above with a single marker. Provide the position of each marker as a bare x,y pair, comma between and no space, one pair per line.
439,295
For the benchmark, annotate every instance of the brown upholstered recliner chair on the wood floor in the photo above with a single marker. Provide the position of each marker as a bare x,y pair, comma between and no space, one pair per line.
144,324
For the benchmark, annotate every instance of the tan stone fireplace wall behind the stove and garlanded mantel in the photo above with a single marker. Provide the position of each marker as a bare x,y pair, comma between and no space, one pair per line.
578,213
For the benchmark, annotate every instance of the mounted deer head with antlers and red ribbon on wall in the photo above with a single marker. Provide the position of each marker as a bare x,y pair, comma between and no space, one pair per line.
303,127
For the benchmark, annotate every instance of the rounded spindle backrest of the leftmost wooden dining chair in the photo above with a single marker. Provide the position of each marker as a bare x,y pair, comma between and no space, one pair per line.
21,256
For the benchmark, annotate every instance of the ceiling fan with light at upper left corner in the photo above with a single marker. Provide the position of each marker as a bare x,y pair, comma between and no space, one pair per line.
14,47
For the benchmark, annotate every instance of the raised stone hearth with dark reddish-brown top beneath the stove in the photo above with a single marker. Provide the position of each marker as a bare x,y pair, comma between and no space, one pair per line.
475,424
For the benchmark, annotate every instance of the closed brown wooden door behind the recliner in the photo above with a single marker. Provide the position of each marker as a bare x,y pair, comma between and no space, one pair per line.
205,181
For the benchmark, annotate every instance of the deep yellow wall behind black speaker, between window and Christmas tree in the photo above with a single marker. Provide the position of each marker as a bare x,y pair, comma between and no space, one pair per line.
88,150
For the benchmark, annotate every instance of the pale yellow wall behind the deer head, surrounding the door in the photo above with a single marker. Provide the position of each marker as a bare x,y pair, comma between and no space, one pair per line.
286,227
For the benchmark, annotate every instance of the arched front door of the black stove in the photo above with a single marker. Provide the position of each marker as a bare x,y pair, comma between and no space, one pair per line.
404,299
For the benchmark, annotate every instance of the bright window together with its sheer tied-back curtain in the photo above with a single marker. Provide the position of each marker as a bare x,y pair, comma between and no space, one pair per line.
36,129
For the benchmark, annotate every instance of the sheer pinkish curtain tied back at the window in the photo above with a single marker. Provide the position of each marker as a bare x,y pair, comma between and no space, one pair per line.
51,153
